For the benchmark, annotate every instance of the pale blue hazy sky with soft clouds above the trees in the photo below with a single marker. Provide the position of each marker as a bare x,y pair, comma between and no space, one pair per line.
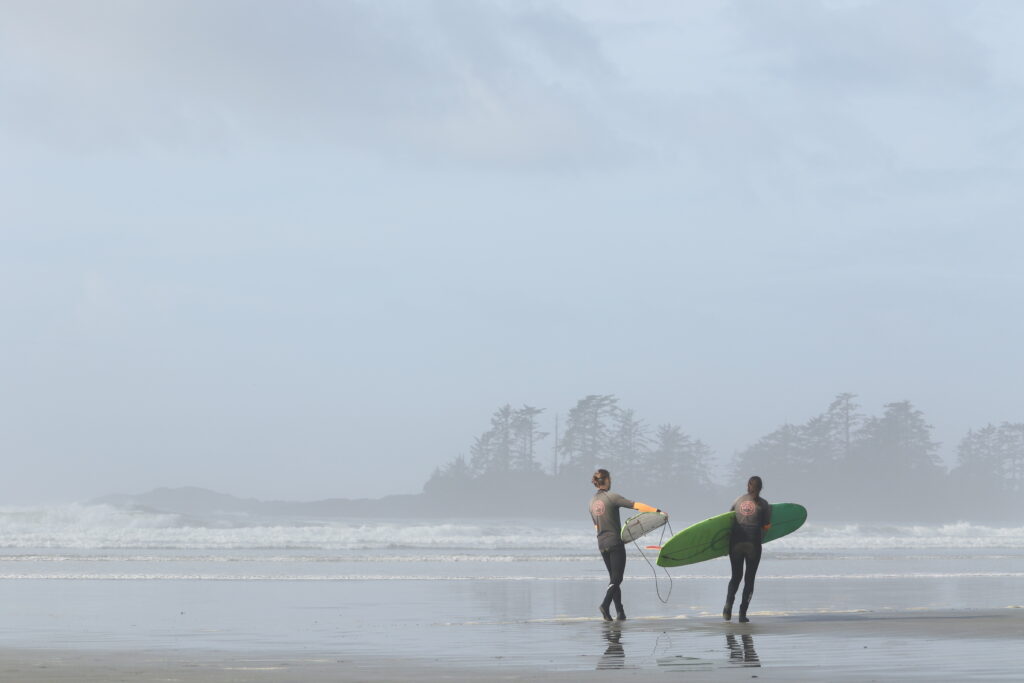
302,250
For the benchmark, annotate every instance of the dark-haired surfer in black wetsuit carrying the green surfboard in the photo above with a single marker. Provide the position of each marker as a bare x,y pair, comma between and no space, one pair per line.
753,519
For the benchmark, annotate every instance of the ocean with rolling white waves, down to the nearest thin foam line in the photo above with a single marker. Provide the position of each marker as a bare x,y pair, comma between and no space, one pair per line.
100,542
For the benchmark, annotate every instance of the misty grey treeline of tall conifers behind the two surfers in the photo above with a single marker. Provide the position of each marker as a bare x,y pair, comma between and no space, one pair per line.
842,464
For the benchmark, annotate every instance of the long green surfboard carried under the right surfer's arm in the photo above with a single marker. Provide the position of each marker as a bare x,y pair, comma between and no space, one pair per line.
710,539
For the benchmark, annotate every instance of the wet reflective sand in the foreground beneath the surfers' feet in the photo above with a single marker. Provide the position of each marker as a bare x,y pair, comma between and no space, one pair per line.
856,647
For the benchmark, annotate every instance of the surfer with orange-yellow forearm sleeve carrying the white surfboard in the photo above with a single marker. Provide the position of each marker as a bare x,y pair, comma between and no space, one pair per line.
605,511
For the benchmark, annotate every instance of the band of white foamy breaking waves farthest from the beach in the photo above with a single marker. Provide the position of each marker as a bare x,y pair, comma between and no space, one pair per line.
101,527
